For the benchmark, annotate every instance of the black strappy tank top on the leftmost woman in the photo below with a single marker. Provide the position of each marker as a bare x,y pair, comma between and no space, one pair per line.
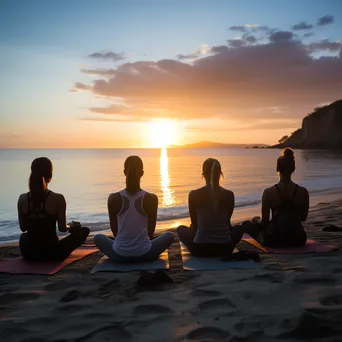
40,225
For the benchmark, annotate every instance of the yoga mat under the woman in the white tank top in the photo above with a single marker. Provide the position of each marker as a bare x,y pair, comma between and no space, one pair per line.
106,265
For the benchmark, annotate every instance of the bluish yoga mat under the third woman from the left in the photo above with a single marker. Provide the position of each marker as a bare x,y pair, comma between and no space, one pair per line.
193,263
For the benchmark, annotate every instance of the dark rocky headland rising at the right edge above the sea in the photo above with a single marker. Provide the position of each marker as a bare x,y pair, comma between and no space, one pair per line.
321,129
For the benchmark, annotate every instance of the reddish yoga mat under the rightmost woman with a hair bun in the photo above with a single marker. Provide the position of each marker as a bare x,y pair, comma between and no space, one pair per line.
311,246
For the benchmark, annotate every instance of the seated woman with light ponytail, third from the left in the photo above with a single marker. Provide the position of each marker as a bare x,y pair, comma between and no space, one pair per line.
211,208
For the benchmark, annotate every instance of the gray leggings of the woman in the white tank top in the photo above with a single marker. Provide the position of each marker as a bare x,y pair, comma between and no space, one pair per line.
159,245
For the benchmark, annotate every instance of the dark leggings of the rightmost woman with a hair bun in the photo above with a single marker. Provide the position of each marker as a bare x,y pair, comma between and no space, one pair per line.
268,238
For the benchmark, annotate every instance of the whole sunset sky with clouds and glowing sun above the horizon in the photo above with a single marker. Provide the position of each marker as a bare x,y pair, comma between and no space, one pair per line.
120,74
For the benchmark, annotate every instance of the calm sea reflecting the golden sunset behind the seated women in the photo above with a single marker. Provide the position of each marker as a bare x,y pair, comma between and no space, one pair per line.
86,177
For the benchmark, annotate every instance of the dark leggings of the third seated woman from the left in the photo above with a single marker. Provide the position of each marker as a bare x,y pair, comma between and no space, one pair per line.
186,235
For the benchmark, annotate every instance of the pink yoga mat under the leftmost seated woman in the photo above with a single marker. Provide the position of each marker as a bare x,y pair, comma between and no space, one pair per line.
21,266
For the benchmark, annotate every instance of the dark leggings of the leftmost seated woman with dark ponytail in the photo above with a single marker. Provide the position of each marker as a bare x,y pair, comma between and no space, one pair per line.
44,251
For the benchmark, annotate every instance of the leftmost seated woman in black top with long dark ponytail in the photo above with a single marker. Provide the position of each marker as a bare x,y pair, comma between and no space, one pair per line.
38,211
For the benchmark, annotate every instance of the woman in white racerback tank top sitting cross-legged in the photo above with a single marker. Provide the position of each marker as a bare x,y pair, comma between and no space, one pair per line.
132,216
